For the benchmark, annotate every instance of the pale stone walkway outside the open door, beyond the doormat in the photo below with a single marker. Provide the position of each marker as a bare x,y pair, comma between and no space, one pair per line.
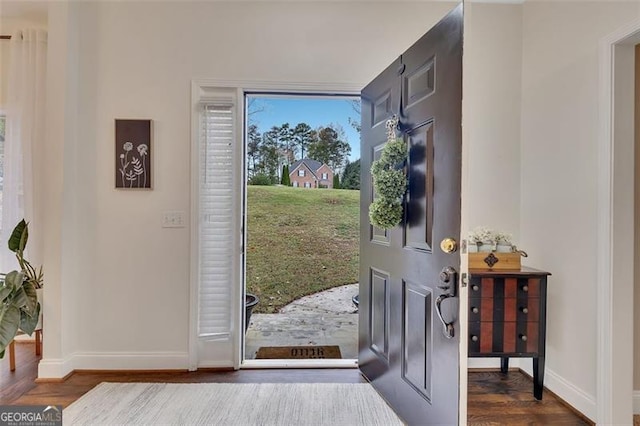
325,318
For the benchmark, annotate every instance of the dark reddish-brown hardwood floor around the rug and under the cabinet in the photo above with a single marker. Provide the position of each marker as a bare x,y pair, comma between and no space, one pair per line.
494,398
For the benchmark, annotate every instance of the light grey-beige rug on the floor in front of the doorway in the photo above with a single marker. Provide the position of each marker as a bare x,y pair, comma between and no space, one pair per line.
232,404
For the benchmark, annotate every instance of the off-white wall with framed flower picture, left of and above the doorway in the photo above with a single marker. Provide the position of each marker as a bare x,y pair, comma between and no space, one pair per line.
127,277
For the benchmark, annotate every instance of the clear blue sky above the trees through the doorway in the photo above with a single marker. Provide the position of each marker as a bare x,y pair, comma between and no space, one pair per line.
313,110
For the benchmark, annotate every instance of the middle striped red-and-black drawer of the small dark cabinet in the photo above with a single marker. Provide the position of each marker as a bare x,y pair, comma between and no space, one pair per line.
521,309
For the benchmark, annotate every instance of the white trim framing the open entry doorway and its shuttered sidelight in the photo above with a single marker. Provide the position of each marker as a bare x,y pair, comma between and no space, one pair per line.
233,347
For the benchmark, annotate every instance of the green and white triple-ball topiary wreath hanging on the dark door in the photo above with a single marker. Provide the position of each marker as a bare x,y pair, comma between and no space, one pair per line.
389,180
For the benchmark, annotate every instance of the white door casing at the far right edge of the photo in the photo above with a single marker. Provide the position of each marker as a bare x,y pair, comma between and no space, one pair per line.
615,252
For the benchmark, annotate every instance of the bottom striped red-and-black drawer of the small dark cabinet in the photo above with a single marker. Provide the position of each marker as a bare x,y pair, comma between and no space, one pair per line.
503,337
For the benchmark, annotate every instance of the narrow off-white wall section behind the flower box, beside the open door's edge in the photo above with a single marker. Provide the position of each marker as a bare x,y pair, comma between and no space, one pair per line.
491,122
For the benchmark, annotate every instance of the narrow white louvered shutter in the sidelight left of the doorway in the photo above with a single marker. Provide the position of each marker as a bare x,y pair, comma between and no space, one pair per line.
216,218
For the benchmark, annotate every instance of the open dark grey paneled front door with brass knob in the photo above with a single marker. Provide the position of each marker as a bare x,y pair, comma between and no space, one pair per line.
406,349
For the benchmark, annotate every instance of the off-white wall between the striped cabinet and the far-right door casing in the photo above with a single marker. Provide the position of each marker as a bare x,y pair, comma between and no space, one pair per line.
559,187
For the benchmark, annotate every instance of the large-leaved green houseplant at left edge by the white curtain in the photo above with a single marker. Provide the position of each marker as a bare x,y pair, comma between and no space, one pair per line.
19,305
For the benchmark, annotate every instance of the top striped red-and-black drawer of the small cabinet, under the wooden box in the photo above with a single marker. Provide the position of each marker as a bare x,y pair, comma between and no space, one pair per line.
500,288
